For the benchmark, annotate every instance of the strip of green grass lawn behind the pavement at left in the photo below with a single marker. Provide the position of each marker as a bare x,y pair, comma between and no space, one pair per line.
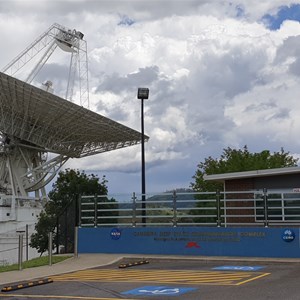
35,262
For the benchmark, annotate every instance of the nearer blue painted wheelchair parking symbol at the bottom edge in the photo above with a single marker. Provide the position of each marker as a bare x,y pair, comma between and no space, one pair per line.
159,291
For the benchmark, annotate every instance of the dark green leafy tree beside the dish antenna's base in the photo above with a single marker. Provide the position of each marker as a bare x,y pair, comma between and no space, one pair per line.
60,211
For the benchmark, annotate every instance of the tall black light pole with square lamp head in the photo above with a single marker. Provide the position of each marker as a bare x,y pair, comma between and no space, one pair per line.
143,94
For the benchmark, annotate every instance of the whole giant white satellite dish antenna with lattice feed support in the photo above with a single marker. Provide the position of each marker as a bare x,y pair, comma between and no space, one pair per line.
35,122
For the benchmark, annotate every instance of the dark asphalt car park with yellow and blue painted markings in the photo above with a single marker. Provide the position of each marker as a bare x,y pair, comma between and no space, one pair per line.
163,279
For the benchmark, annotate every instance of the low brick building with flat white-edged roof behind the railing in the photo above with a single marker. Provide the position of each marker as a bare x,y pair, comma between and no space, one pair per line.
269,195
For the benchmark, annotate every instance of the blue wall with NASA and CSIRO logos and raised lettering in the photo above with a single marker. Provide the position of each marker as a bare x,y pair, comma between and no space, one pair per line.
206,241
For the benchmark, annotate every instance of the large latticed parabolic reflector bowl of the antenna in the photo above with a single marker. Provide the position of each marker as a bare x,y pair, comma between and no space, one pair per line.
57,125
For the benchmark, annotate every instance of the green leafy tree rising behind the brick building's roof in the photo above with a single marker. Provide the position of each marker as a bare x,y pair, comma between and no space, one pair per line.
233,160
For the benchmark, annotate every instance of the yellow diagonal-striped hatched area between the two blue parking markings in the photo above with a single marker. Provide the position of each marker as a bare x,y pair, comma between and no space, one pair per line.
162,276
